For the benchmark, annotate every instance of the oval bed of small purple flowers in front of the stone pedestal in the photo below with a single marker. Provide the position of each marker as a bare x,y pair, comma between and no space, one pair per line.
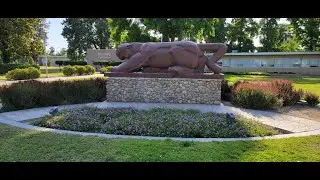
154,122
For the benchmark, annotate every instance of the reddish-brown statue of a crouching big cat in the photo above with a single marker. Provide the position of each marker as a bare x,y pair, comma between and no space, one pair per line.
182,57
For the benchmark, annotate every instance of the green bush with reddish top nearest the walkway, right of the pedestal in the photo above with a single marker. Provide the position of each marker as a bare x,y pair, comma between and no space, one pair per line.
256,99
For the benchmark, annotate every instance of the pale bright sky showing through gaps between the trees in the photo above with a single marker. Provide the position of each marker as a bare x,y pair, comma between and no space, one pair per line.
56,40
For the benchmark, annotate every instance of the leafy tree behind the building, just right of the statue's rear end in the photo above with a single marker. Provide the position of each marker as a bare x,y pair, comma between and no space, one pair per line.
241,32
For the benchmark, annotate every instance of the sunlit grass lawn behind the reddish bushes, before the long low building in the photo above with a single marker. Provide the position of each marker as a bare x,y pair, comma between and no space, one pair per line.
311,84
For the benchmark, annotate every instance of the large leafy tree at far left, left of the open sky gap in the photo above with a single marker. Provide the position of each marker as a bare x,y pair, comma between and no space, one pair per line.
22,38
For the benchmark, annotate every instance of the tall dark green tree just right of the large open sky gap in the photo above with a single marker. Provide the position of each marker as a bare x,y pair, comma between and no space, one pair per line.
83,34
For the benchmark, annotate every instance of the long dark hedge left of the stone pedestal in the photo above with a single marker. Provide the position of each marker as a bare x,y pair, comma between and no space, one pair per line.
32,94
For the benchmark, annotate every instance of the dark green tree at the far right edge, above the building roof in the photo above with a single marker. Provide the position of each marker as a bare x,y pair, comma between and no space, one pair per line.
307,31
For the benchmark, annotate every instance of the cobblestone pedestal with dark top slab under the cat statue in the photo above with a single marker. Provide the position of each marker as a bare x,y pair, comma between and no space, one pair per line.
164,88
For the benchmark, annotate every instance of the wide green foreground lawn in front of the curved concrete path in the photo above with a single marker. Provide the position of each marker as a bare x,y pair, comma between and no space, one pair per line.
25,145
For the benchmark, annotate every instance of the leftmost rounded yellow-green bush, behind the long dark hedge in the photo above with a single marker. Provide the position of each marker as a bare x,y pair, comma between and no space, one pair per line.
22,74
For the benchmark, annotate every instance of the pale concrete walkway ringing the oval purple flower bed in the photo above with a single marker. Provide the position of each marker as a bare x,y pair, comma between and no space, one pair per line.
299,126
